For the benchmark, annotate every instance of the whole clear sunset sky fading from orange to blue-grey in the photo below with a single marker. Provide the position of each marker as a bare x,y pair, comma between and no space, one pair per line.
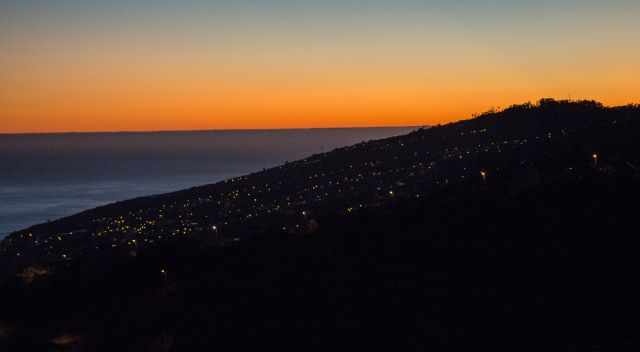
70,65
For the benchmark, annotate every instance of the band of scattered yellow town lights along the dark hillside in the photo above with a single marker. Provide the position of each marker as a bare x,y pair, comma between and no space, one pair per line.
224,208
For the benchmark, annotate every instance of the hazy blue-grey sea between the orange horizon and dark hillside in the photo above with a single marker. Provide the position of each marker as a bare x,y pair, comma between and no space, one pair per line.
48,176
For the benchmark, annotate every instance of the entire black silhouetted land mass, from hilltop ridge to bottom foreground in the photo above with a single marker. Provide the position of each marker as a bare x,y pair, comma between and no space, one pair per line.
539,254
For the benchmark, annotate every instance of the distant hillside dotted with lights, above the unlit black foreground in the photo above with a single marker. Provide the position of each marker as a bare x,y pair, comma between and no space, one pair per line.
363,175
